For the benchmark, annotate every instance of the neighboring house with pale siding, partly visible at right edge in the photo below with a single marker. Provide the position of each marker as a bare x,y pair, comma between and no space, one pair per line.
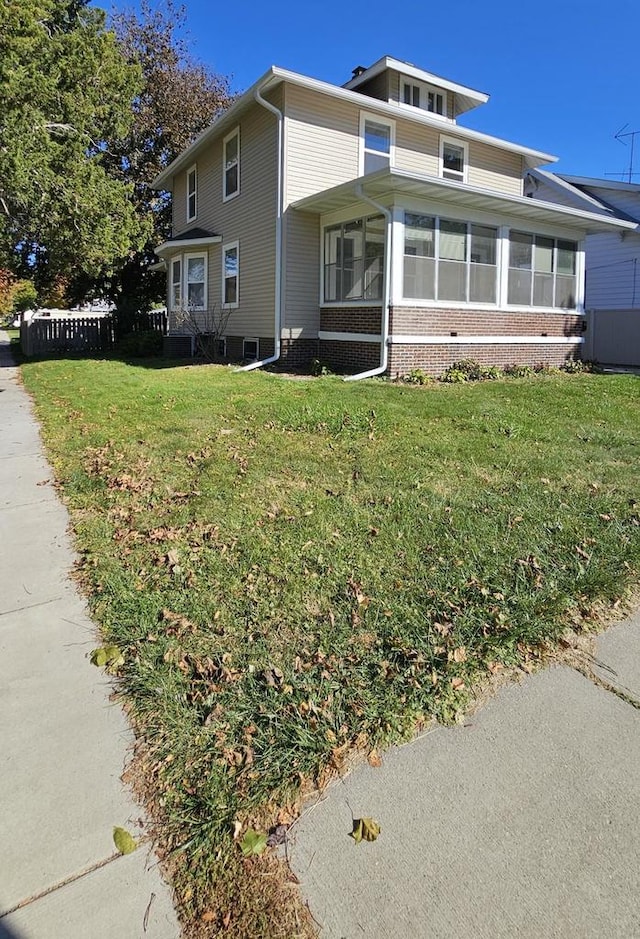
612,260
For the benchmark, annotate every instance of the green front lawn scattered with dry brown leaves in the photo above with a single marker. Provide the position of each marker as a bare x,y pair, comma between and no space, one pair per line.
296,568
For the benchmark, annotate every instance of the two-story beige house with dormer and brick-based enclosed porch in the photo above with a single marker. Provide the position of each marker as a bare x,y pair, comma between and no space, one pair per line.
364,226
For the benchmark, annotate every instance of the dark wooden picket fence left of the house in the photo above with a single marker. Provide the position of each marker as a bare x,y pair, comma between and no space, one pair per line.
85,334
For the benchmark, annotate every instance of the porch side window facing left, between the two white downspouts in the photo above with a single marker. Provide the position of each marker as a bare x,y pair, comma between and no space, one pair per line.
354,260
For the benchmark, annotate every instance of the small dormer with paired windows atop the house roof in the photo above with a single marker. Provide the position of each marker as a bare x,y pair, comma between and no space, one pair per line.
401,83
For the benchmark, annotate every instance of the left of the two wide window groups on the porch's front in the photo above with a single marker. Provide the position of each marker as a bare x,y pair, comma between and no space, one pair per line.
450,260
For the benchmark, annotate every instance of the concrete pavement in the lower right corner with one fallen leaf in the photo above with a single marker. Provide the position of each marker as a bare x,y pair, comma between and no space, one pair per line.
523,822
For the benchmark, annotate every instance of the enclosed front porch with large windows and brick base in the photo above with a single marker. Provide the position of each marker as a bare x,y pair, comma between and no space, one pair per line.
418,271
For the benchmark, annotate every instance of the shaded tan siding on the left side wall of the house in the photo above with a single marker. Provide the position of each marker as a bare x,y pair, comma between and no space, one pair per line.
249,218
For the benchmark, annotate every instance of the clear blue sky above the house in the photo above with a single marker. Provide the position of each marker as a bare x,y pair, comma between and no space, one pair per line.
563,76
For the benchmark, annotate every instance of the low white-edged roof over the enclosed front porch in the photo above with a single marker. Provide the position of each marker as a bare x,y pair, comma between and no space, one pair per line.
386,184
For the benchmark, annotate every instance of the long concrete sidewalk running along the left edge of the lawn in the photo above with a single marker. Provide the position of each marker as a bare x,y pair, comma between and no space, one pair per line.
63,744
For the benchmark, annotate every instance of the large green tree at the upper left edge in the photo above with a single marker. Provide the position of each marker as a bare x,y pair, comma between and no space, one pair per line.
65,89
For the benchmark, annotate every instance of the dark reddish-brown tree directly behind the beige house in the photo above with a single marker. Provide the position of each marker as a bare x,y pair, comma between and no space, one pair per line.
179,99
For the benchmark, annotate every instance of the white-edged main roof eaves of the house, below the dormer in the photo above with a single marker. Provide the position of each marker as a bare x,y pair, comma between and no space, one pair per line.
274,76
